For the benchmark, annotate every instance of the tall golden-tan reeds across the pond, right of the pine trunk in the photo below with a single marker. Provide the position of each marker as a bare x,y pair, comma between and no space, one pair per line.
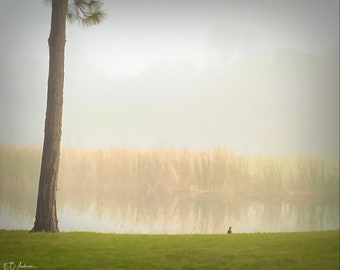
217,171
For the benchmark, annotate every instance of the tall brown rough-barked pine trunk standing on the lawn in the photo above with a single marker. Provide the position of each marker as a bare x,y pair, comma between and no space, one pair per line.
46,213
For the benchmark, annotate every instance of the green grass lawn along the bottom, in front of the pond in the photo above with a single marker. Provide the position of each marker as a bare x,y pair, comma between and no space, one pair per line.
78,250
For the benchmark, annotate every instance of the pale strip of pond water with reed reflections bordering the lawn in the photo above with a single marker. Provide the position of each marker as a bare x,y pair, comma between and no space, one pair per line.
255,217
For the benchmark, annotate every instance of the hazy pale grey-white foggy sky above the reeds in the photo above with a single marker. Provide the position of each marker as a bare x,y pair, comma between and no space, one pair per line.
251,76
